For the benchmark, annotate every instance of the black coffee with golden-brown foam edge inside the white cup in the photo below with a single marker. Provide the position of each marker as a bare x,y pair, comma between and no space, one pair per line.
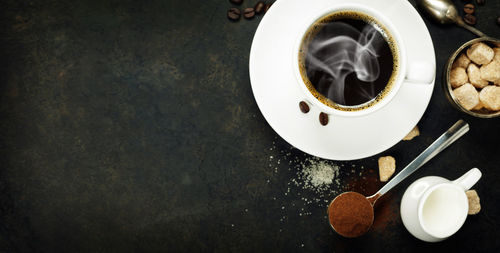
348,60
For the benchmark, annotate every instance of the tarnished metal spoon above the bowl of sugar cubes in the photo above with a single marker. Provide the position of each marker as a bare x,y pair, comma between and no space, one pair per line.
444,12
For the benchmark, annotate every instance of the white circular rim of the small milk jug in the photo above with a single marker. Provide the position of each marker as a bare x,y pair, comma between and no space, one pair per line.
424,197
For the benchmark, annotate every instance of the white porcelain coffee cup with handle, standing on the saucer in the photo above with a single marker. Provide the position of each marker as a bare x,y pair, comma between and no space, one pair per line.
414,72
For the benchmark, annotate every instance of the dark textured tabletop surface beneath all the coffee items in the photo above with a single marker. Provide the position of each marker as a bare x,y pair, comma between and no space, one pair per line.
130,126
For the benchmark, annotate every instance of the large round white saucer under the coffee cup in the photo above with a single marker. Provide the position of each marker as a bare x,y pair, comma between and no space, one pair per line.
278,95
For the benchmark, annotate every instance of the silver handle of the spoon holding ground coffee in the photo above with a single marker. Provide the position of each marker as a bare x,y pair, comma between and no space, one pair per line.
450,136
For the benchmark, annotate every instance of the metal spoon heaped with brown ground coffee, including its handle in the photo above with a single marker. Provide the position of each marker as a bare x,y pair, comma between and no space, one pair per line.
353,222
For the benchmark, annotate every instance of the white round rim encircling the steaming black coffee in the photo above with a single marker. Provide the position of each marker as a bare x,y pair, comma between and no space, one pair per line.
400,49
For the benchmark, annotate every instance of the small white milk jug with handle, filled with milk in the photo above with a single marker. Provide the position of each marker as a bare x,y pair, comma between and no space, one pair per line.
434,208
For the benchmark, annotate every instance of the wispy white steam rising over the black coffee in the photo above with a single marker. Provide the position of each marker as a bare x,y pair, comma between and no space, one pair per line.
350,51
